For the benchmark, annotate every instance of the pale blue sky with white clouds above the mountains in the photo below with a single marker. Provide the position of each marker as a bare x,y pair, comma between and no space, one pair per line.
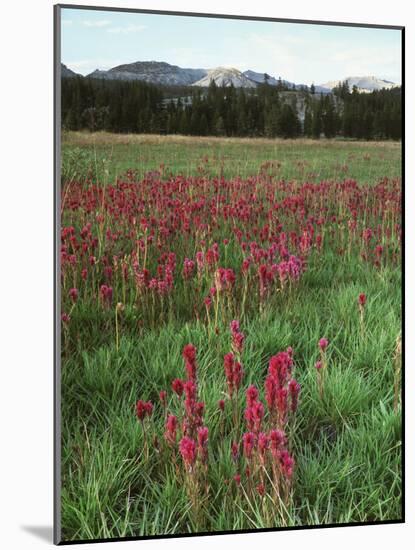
300,53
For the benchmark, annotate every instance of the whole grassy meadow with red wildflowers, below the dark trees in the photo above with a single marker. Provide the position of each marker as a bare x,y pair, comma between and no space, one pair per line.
230,335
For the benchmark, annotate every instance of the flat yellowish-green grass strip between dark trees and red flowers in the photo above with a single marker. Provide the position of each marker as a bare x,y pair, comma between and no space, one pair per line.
109,156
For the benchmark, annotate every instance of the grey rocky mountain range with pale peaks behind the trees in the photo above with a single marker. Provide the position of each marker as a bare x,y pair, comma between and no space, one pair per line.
158,72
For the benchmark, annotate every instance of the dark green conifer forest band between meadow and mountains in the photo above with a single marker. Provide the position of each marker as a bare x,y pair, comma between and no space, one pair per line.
270,111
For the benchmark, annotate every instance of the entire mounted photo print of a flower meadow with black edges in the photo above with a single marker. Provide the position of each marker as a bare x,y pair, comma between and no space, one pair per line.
228,274
